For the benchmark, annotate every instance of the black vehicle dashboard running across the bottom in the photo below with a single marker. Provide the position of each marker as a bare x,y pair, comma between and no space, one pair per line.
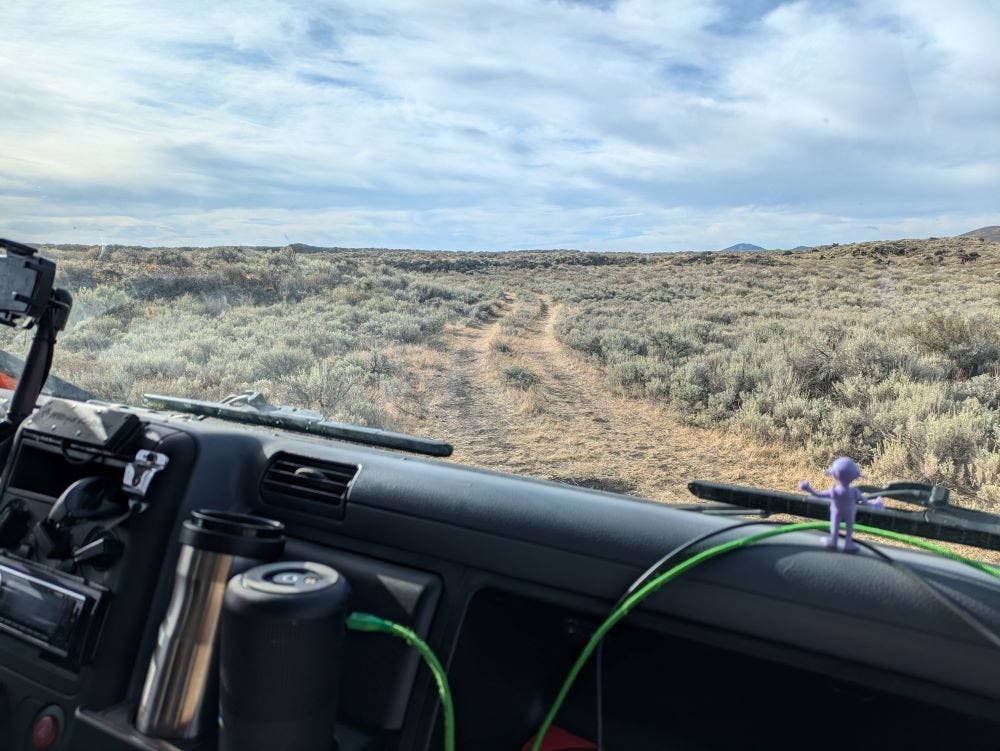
780,645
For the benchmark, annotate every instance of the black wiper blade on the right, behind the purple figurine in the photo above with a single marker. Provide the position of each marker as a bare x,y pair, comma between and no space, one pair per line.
936,520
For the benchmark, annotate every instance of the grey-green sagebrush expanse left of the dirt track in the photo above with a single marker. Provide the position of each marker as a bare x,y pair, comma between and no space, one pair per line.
316,330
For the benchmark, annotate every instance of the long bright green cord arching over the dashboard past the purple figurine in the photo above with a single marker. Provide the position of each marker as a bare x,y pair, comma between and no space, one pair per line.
642,593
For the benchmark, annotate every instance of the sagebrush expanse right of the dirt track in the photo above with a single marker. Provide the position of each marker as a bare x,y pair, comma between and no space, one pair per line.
791,352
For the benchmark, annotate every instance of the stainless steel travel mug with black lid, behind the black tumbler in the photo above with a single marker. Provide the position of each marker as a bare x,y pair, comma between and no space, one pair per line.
181,671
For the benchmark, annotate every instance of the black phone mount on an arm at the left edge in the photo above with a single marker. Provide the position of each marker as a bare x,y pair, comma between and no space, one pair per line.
28,298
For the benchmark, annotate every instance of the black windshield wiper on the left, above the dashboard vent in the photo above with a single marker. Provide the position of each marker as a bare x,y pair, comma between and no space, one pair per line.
250,407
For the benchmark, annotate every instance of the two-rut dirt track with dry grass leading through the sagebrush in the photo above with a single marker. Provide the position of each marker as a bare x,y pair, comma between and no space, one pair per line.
569,426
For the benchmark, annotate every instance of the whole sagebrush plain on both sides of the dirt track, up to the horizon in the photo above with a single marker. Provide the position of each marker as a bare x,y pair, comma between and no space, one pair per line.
885,351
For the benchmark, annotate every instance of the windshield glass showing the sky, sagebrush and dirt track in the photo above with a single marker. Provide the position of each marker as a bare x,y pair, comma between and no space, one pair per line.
651,241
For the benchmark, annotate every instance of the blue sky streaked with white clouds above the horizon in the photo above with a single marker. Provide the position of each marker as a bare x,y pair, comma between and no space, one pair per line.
612,125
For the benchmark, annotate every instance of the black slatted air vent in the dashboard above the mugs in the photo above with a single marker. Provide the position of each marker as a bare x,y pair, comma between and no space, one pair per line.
306,484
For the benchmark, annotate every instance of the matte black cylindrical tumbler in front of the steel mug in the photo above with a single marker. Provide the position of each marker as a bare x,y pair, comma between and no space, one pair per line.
281,647
